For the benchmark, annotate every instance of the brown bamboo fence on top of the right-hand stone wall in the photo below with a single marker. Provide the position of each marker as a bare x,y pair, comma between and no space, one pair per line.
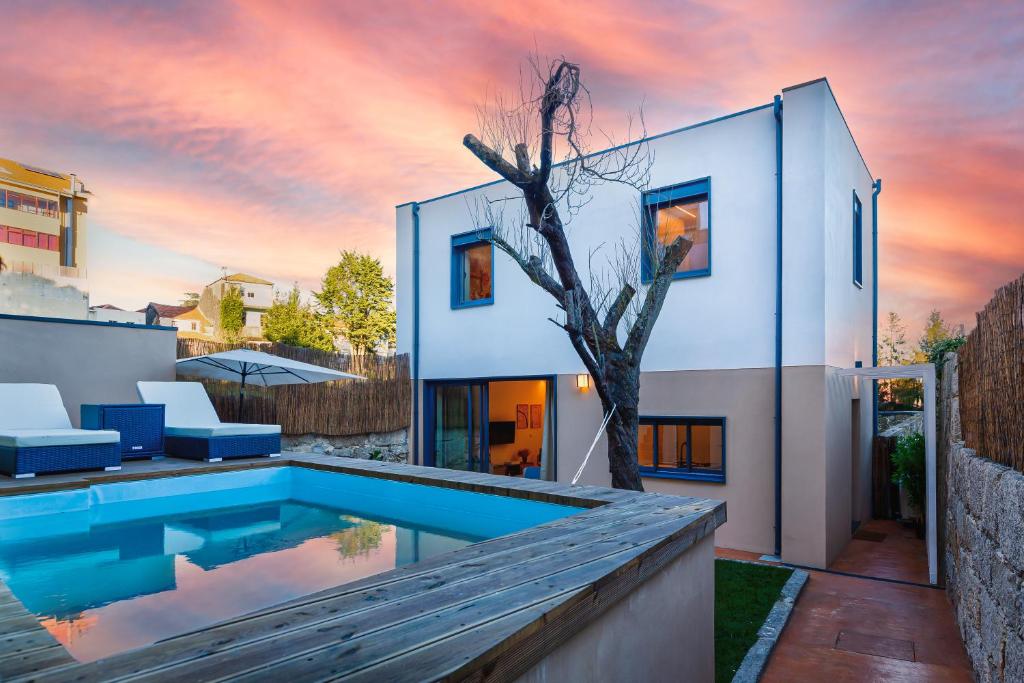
992,379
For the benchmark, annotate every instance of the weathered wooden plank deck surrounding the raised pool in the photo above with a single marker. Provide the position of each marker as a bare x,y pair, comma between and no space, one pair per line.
488,612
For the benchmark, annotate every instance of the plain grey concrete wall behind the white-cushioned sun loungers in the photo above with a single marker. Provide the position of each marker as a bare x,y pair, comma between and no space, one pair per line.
91,363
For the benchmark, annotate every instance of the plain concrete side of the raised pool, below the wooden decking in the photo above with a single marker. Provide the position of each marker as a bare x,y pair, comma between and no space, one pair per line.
663,631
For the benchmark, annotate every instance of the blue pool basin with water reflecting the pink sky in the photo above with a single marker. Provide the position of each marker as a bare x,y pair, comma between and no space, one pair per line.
122,566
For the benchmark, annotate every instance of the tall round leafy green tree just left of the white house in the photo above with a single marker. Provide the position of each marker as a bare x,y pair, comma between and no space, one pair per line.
358,298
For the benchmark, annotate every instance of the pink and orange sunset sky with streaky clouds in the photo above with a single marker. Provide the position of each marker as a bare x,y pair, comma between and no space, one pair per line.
266,138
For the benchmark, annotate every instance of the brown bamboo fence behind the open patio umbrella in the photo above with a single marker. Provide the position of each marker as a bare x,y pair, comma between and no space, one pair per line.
381,403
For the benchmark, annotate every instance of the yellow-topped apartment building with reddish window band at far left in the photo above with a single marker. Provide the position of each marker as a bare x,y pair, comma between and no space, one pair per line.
42,242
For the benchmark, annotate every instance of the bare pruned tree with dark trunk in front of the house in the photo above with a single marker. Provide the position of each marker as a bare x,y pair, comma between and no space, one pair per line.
607,322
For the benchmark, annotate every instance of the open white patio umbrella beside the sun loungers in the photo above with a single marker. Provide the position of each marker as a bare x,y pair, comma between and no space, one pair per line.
258,368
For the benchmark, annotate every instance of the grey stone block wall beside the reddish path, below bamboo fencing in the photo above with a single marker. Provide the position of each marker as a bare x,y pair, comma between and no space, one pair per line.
985,550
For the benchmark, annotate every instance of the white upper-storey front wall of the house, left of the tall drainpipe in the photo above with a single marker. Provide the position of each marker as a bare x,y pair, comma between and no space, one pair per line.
723,321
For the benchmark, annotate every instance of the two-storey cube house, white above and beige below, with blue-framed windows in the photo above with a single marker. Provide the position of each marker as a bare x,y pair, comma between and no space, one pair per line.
746,343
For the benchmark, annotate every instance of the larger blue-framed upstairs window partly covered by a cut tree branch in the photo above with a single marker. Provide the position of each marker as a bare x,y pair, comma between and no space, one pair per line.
682,210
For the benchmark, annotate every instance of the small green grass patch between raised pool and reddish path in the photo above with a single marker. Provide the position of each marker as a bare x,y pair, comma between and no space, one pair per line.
744,596
